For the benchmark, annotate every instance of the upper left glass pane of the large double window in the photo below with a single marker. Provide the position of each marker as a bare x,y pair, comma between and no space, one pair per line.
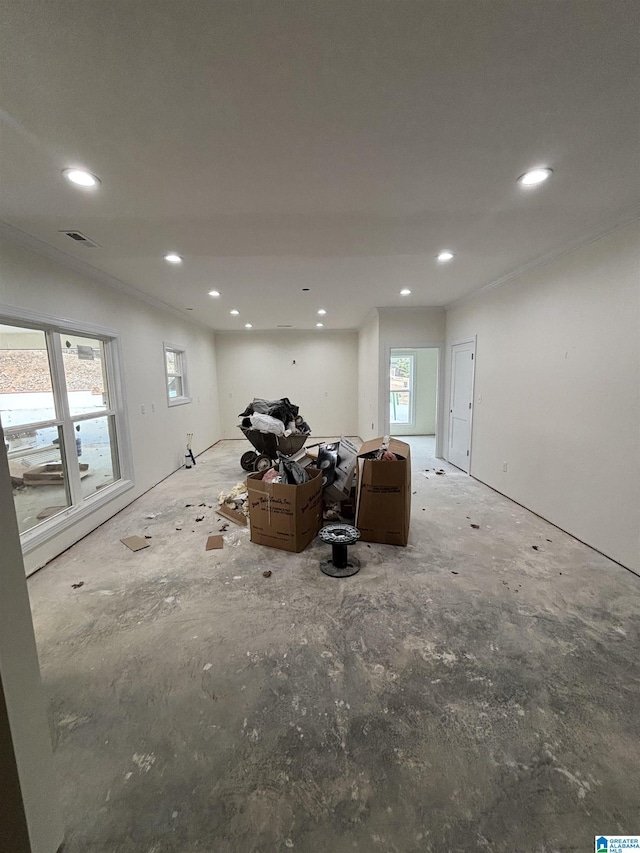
26,394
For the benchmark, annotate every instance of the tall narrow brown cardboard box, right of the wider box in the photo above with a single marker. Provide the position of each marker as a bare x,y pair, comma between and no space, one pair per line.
383,510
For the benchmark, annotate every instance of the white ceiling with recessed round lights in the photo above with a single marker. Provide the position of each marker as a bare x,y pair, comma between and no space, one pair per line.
336,145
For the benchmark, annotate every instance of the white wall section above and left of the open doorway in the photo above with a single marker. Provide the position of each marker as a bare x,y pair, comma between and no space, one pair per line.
404,328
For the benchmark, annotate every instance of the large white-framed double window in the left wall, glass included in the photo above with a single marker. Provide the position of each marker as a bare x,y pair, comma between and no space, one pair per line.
61,419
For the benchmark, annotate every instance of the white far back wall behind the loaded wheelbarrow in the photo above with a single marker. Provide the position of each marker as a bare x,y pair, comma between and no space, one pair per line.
323,382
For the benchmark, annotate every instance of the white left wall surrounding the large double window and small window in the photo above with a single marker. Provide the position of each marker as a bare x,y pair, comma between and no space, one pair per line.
33,282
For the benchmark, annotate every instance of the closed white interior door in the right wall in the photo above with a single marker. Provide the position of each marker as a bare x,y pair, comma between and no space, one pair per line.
462,364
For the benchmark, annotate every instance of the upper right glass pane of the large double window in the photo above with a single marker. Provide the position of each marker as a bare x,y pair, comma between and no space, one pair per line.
85,375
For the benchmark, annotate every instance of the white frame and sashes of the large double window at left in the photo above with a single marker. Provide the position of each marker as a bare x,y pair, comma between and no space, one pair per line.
81,506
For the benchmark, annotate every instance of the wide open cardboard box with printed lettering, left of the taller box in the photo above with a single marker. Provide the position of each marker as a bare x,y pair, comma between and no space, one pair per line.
283,516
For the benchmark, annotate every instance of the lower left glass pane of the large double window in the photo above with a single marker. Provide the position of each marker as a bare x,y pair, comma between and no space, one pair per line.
38,474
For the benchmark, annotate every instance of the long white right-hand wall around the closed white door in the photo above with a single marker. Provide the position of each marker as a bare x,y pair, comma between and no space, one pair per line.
557,370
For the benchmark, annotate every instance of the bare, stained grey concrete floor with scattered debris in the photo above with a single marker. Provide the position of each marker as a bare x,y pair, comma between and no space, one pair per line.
467,693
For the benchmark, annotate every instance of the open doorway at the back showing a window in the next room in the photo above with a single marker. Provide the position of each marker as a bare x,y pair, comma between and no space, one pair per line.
413,391
